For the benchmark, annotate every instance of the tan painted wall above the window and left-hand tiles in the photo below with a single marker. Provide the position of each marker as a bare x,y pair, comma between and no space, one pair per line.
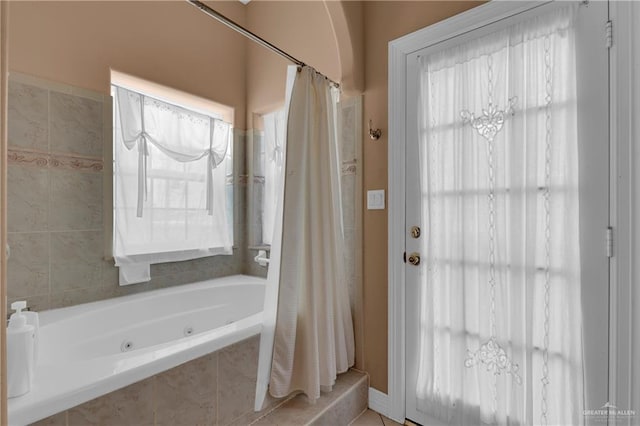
169,43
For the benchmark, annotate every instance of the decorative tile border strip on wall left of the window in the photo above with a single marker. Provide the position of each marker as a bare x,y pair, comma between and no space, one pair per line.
59,161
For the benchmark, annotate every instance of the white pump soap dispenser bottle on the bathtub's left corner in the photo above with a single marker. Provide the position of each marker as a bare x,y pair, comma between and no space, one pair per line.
20,352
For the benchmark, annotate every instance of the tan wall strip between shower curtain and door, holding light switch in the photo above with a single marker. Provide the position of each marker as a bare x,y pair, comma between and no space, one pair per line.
384,21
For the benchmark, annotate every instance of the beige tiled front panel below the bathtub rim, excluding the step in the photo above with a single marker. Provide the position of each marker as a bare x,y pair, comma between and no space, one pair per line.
216,389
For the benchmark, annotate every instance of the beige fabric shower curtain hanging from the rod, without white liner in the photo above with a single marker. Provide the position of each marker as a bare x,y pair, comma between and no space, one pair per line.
314,331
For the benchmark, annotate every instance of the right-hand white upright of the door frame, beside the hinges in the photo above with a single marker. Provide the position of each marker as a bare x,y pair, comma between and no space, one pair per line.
624,331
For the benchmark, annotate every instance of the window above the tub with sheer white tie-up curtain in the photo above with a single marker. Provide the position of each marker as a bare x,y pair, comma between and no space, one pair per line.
173,194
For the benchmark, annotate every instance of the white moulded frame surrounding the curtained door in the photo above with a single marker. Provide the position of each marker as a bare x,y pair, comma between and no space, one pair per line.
399,49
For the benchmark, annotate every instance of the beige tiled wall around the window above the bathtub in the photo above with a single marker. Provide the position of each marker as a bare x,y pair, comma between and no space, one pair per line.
57,135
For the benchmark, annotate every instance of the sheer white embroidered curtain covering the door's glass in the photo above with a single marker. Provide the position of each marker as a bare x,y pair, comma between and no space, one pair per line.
500,308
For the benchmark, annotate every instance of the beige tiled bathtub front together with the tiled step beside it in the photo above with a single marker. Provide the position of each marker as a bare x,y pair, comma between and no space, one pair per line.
216,389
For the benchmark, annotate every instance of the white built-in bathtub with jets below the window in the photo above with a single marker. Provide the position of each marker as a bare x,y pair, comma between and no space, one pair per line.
91,349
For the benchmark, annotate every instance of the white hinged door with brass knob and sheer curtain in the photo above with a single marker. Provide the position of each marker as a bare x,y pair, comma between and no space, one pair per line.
503,303
